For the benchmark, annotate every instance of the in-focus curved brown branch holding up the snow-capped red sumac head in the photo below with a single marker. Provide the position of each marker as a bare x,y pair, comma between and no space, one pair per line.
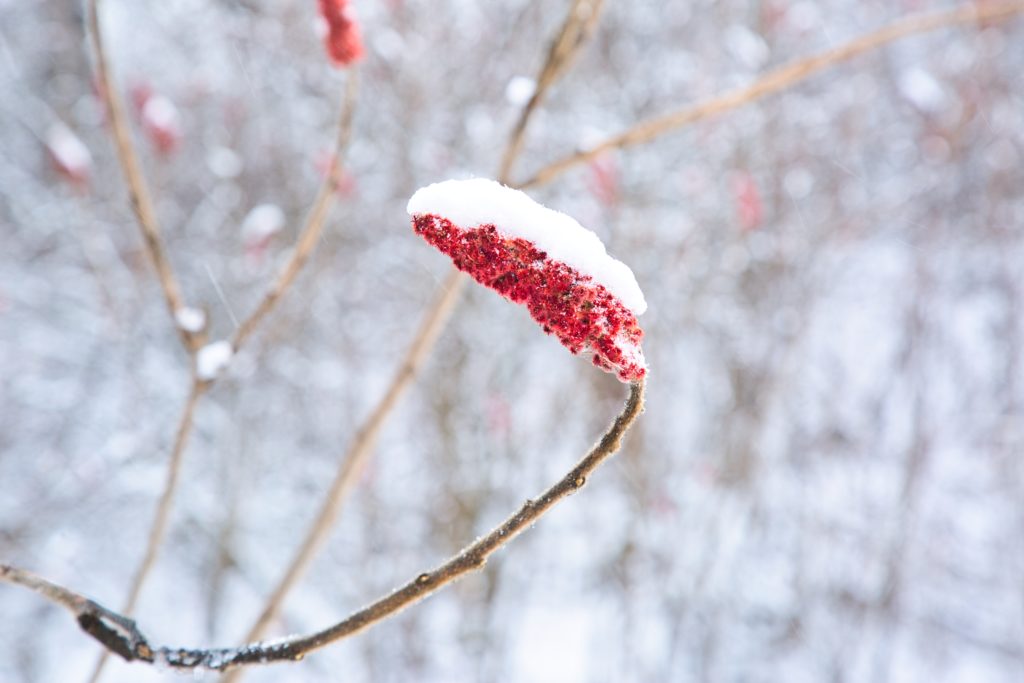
120,634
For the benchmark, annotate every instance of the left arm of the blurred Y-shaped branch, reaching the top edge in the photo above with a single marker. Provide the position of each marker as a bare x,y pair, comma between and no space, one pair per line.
139,192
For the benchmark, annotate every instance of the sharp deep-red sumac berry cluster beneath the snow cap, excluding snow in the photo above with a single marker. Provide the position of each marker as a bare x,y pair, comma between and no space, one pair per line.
569,305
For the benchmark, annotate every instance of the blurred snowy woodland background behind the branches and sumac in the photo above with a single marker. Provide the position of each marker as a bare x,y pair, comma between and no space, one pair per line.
827,486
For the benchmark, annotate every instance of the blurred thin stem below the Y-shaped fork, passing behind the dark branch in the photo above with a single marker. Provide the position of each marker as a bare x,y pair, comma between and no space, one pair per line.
158,531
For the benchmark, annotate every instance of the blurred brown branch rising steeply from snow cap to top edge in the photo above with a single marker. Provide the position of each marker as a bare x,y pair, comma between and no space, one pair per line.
576,31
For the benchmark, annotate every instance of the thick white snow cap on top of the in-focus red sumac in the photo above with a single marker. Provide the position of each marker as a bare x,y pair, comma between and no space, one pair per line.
479,202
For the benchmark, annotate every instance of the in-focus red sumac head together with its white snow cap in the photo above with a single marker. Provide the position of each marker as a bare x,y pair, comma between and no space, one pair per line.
543,260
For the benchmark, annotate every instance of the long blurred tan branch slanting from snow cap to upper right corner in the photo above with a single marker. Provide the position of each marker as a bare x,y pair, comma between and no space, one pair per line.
781,79
